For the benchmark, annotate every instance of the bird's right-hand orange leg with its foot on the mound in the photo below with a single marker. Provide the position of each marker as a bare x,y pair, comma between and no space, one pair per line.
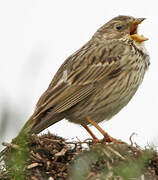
107,138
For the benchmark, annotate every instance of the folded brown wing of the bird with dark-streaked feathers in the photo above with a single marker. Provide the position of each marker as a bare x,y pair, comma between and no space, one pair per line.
77,78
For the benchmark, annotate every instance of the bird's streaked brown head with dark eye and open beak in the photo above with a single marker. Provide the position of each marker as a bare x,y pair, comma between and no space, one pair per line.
120,27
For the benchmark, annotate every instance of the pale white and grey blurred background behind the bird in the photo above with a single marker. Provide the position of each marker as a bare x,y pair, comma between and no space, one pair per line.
36,36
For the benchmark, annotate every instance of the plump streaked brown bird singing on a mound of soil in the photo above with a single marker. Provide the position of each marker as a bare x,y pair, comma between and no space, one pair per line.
97,81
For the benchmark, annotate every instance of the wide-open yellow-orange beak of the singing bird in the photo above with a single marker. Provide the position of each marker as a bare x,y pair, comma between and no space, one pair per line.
134,28
